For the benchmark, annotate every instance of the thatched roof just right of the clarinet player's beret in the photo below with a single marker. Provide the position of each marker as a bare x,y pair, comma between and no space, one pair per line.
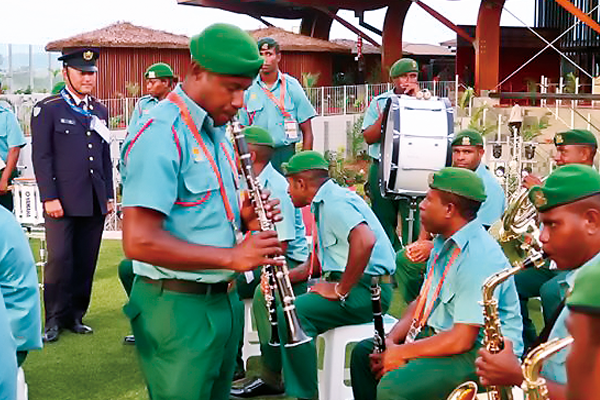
289,41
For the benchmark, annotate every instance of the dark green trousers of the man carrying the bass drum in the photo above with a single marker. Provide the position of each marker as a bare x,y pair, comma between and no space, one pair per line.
387,211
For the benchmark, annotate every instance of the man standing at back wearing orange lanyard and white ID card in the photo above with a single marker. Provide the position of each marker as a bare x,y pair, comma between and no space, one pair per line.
277,103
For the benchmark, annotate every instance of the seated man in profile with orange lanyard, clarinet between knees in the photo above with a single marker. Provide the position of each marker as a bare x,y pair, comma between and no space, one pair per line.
432,349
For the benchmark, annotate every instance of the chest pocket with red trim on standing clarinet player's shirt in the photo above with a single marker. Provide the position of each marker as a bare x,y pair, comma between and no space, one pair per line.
199,183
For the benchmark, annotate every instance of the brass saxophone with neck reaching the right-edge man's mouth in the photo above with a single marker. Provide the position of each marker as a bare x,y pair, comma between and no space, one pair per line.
492,335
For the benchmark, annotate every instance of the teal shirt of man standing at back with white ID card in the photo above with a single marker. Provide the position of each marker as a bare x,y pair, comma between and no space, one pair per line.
260,110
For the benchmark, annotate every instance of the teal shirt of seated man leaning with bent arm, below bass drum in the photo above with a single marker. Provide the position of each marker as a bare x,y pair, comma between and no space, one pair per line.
337,211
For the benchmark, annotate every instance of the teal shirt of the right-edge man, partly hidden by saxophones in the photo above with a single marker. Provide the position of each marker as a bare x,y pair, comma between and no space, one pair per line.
554,367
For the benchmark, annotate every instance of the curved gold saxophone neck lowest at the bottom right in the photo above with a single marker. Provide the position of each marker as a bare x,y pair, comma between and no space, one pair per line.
534,386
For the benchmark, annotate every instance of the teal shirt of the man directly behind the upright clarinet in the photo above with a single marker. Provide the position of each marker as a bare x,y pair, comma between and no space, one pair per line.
291,228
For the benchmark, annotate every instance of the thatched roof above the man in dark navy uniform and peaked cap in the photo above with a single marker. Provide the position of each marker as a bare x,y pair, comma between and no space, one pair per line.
122,34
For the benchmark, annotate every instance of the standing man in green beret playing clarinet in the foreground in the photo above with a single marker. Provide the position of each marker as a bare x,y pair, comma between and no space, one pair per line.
182,224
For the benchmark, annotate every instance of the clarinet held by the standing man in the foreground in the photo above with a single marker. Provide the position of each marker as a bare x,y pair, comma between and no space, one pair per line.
277,276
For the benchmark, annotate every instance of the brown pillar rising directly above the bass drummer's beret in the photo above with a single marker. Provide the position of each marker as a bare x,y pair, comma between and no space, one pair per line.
391,49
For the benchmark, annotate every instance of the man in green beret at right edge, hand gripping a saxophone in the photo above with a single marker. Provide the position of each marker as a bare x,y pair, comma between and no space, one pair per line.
569,207
